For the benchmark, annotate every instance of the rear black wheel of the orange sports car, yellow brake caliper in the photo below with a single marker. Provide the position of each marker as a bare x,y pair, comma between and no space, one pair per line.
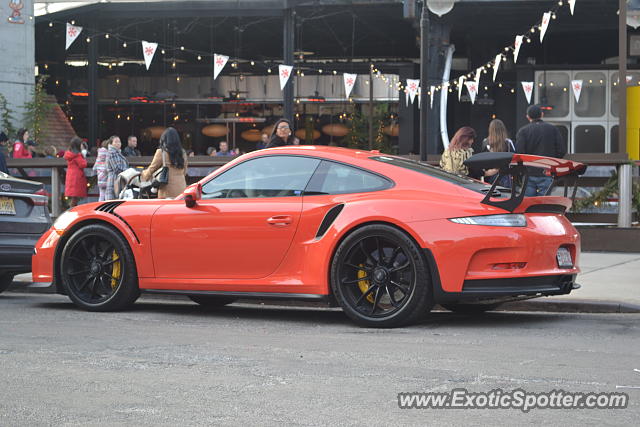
381,291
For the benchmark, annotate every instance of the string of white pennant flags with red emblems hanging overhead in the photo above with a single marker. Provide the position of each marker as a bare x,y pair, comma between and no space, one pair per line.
412,89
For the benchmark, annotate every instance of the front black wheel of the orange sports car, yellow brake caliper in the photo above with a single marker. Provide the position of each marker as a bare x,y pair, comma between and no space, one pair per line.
98,271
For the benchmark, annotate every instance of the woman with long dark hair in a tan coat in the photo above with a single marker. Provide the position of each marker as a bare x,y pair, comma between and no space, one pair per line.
175,158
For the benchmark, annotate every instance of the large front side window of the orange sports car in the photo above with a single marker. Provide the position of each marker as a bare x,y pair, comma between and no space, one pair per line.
273,176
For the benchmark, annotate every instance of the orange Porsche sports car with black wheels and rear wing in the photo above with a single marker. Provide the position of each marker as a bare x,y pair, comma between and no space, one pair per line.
383,237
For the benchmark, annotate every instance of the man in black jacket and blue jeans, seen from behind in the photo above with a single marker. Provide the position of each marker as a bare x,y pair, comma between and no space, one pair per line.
541,139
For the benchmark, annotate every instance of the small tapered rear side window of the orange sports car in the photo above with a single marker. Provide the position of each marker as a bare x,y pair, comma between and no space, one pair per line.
336,178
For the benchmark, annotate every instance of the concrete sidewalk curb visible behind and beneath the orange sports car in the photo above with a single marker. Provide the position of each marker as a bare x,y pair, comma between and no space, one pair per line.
550,306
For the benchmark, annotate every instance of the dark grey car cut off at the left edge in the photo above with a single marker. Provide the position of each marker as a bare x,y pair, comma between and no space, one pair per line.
24,216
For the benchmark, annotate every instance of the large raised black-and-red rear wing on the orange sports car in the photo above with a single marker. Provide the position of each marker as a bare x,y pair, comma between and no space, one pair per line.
515,165
